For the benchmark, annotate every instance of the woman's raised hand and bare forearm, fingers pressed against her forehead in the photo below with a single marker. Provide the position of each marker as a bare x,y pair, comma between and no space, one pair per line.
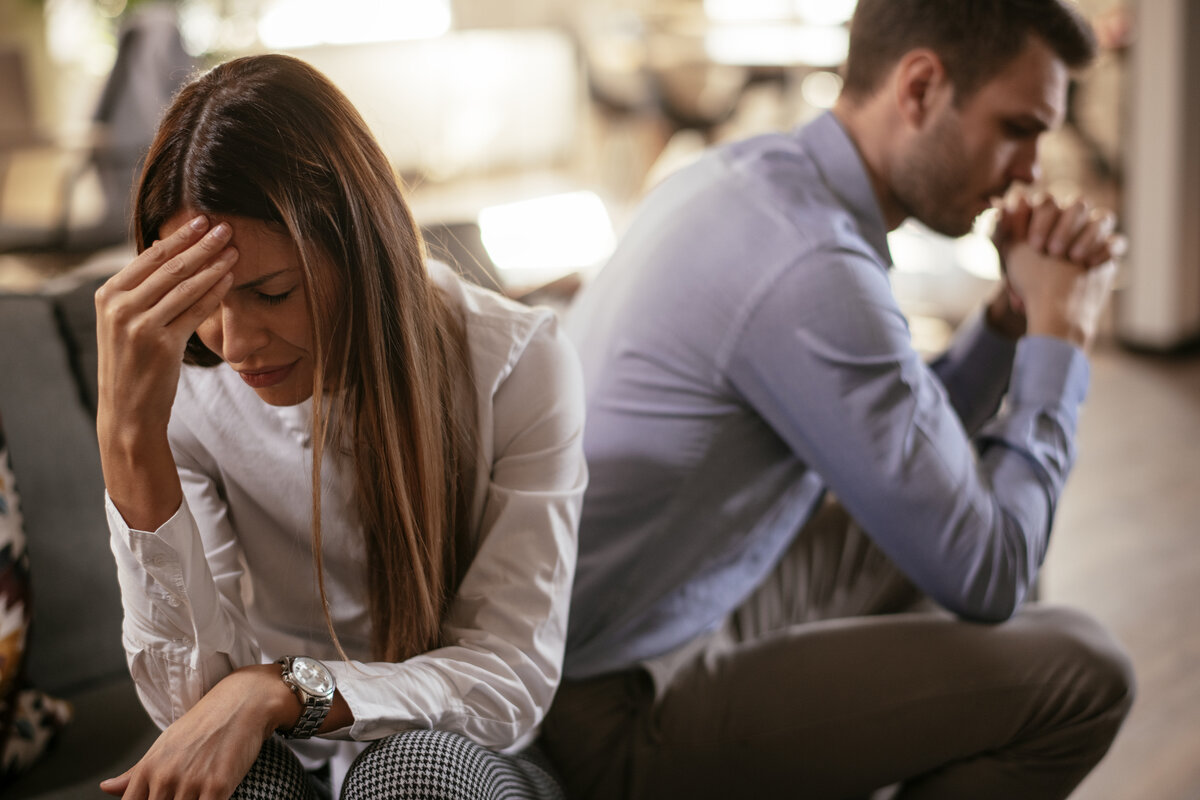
145,317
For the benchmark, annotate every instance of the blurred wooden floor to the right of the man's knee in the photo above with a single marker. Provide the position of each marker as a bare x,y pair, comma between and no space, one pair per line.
1127,550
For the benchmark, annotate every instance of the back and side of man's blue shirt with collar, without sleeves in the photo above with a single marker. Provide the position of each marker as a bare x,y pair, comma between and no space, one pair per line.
693,494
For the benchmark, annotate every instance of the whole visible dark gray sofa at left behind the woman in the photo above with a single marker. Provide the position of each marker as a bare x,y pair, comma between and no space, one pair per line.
74,647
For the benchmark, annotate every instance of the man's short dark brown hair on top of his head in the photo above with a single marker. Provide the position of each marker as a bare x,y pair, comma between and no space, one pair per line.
975,39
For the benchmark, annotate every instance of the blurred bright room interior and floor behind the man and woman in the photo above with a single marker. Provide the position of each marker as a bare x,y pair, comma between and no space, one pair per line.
526,133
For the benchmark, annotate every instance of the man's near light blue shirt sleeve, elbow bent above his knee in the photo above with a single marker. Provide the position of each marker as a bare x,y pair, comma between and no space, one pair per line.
826,358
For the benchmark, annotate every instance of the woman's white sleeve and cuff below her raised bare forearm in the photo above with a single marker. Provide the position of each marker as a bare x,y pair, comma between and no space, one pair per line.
185,623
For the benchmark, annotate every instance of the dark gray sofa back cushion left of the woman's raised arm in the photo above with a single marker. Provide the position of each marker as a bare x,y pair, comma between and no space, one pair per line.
76,636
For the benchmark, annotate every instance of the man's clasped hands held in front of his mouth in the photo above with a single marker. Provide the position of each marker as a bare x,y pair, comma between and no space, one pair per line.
1059,269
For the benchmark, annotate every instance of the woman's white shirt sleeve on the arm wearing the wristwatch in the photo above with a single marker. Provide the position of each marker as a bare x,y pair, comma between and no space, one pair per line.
507,627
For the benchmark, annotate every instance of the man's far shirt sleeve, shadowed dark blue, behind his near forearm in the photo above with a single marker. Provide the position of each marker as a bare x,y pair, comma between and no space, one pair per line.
976,372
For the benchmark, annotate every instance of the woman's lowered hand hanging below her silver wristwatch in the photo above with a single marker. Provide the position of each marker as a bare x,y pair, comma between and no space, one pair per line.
207,753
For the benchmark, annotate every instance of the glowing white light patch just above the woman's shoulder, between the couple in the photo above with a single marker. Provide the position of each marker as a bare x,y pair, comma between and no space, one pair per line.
554,234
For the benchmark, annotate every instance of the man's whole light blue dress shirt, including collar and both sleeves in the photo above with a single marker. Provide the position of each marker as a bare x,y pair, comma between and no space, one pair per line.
743,353
